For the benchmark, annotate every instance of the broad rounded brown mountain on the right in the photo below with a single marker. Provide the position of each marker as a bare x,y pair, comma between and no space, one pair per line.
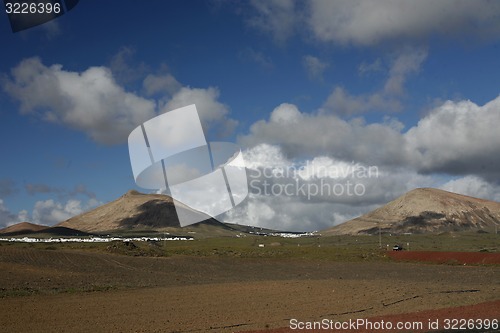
425,210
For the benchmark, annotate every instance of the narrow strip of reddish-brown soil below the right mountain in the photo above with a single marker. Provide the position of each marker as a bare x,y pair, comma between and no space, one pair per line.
447,257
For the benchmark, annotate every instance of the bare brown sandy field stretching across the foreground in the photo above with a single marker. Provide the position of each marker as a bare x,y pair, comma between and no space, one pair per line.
71,291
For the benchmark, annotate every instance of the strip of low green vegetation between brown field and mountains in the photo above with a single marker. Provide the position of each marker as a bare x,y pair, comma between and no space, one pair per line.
340,248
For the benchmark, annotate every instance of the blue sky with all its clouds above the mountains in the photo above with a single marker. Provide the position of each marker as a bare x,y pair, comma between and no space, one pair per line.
411,87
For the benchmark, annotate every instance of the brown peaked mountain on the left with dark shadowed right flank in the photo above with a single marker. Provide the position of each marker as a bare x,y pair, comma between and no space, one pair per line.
135,210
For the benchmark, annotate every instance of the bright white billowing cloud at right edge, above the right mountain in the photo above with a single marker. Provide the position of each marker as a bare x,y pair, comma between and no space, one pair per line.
458,138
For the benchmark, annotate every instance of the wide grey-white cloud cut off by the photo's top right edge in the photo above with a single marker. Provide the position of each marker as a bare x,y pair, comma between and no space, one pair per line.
365,22
